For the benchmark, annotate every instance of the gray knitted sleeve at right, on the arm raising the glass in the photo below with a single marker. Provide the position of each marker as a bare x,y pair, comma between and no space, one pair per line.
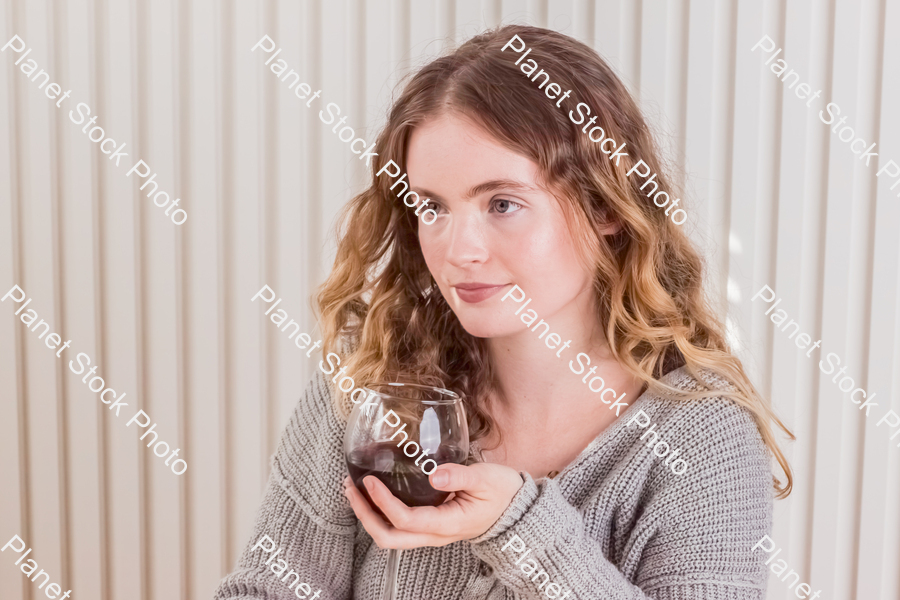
690,535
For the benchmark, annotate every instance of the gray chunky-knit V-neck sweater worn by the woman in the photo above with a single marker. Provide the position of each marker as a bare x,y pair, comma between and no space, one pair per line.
615,524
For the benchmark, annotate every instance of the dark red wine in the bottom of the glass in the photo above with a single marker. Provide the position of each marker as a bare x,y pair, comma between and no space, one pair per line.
400,473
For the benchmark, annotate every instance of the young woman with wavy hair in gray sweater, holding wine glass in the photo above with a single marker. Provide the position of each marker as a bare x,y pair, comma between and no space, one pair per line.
586,485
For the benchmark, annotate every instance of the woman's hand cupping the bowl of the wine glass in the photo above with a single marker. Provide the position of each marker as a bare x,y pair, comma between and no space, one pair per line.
482,493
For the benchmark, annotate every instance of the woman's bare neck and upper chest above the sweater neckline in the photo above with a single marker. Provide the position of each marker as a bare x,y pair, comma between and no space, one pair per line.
551,384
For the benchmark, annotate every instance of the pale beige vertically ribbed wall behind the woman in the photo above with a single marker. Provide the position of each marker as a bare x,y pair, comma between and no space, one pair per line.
165,310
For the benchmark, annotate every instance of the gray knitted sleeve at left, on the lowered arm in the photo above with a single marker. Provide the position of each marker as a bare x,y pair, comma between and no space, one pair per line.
305,524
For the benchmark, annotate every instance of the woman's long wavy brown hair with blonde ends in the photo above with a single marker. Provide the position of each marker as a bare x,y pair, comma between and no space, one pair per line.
382,311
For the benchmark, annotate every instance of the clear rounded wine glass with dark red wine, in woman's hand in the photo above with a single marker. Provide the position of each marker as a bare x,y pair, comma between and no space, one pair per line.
399,433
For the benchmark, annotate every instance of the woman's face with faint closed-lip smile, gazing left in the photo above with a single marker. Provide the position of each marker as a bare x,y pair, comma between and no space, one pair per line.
495,228
